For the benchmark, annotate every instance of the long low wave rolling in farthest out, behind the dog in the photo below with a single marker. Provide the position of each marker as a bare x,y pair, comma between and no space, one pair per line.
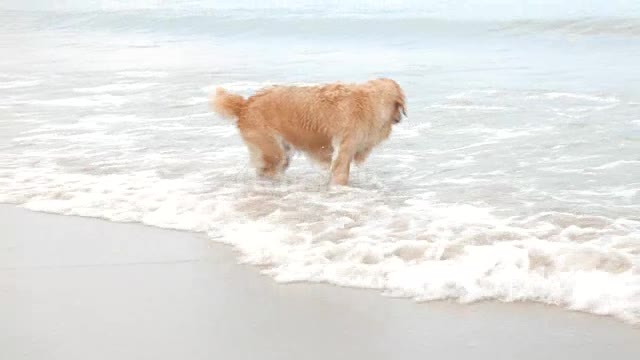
237,23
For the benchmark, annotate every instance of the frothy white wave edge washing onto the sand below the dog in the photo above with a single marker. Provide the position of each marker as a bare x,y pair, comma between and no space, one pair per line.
421,249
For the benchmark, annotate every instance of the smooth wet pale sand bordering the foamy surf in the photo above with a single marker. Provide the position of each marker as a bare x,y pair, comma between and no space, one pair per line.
82,288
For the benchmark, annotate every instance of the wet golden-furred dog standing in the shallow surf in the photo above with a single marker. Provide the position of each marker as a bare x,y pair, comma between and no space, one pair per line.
334,124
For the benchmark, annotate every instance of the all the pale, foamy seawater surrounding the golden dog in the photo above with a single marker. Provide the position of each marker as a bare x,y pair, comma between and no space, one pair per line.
515,177
